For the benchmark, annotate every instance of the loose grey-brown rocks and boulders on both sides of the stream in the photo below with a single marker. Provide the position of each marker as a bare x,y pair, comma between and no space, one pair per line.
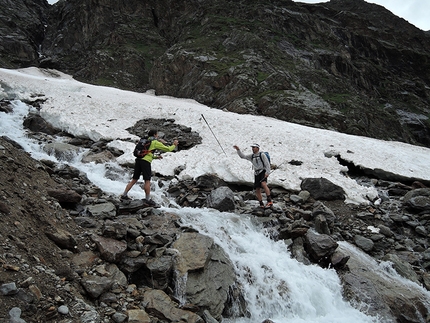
72,253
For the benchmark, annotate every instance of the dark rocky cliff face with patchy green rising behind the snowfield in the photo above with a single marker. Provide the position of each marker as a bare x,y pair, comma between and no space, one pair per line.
343,65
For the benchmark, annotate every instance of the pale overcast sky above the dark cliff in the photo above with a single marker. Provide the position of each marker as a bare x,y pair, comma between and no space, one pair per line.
414,11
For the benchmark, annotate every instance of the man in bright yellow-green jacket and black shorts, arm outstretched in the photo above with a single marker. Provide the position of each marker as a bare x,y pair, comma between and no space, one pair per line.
142,166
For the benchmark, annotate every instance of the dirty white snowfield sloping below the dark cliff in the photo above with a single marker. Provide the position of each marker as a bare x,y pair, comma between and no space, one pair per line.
105,113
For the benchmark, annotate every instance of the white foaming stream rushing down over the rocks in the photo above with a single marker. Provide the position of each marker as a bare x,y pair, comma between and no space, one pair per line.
276,286
